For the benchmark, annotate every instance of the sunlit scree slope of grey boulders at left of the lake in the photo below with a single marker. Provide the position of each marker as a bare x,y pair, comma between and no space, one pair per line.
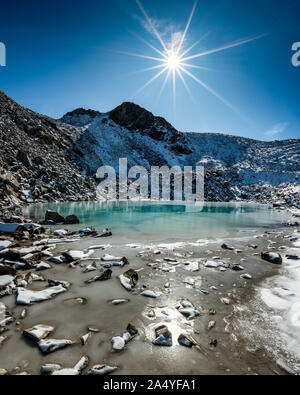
35,160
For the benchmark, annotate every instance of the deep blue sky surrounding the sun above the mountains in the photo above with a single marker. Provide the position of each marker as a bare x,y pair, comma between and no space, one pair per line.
63,55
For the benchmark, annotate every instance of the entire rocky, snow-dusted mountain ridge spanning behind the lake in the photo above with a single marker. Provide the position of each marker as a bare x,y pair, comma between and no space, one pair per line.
42,159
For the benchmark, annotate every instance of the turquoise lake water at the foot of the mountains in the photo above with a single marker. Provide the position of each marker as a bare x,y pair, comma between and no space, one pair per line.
161,221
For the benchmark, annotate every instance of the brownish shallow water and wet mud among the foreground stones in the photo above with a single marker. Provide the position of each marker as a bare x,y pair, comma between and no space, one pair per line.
213,285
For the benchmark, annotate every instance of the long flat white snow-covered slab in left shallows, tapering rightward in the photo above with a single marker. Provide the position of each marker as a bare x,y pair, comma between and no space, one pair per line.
28,297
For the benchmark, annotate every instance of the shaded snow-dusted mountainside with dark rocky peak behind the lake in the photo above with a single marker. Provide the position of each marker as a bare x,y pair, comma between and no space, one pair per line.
237,168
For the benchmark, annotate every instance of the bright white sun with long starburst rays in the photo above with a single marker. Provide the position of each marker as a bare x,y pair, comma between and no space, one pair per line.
174,57
